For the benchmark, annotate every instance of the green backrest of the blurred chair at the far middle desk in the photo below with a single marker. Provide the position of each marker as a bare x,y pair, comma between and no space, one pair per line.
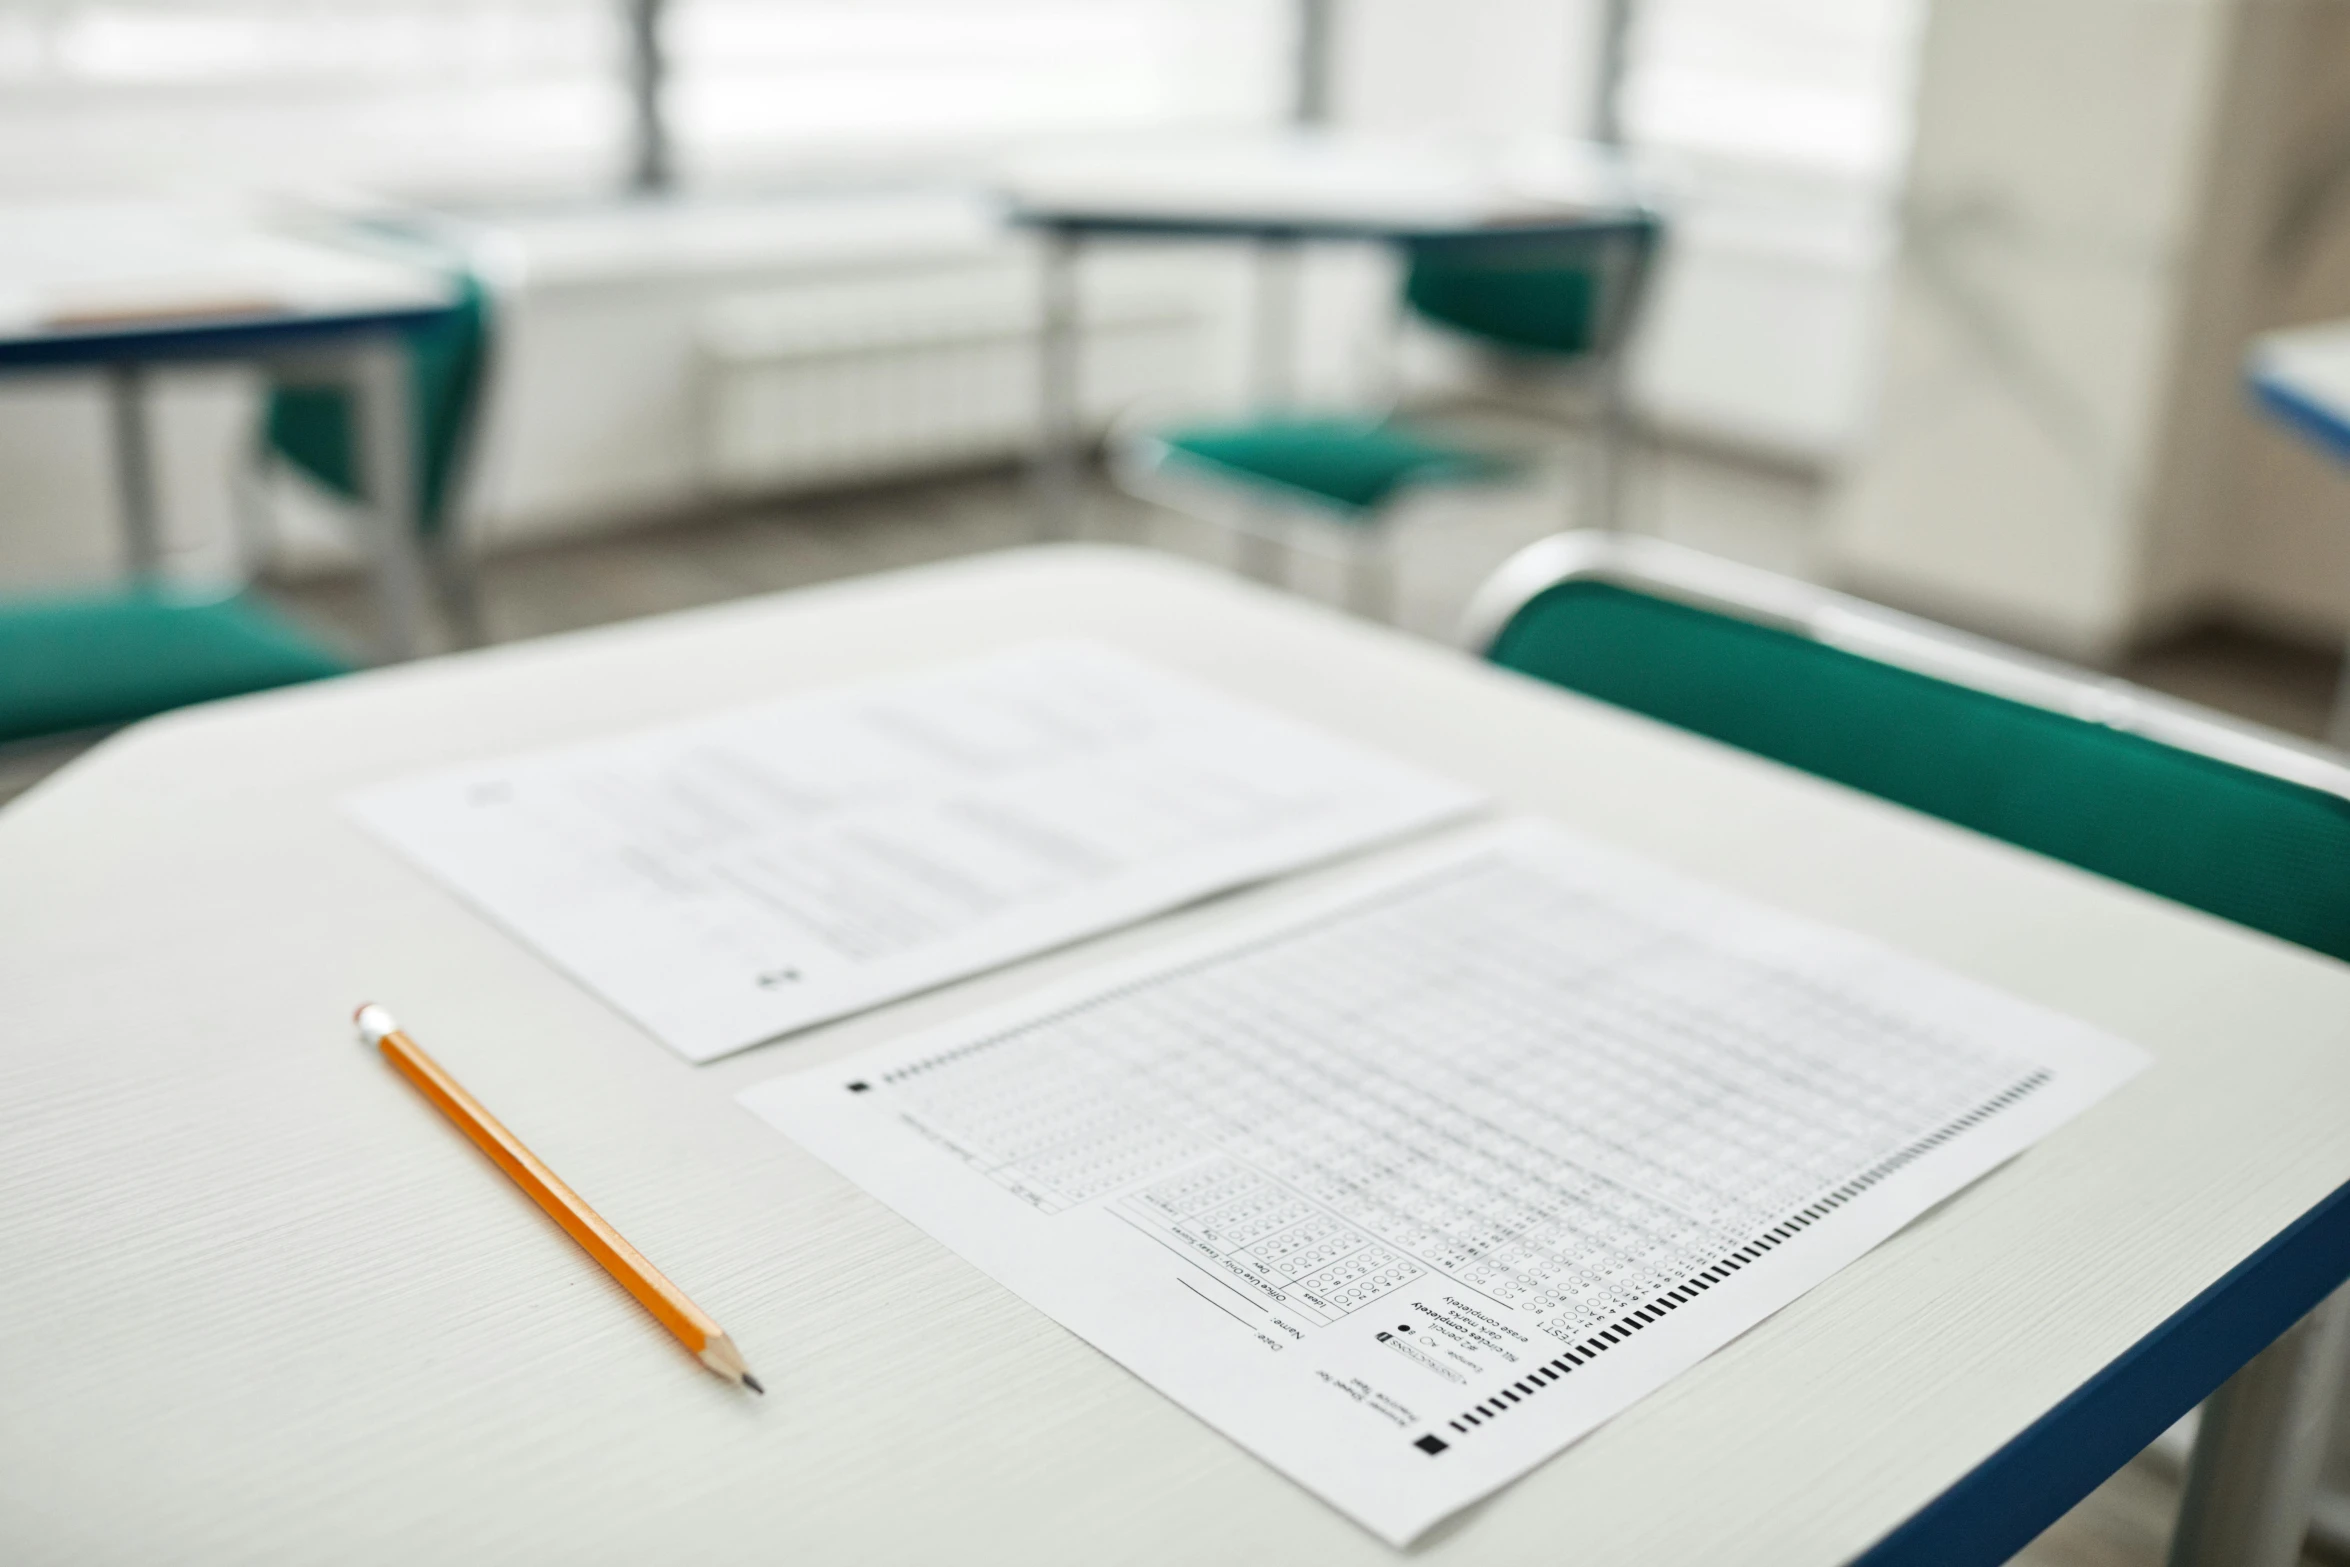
1531,297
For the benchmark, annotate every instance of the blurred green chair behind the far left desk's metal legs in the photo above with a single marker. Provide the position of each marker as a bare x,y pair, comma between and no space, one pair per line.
314,431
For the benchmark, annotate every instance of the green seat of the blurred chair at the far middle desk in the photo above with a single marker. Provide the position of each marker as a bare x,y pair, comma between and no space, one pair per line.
1350,466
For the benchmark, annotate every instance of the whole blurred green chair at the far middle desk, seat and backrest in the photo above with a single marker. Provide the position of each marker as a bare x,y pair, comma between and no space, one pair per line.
1531,302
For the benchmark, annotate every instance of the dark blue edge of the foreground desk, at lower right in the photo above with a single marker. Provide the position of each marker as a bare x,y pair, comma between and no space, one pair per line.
2081,1444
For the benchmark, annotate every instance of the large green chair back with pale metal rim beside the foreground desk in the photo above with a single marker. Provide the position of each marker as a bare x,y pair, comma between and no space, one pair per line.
2161,795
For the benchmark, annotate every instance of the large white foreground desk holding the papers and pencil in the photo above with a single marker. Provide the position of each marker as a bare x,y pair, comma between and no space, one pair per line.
267,1305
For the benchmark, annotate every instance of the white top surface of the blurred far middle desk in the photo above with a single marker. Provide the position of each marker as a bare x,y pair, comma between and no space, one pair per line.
1327,180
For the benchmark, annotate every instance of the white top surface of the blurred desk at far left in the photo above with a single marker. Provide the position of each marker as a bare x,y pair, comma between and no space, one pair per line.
121,262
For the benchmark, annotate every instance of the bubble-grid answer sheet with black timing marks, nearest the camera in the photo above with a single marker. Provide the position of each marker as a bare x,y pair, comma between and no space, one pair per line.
1414,1185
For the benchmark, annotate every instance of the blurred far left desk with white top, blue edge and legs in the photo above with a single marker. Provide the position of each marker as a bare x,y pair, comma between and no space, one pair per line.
133,285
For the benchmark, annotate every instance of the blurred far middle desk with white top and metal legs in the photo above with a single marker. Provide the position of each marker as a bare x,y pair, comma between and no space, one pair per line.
1282,191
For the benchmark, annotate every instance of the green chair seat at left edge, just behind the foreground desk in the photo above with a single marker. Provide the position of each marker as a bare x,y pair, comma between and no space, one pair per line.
93,661
